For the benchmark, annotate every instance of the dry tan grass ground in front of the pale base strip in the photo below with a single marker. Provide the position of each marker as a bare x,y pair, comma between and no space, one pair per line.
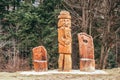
113,74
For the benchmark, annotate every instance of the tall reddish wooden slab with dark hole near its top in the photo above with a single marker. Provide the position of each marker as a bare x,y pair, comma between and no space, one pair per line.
86,49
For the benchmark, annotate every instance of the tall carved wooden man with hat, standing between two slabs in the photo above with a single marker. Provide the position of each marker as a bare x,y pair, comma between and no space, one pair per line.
64,41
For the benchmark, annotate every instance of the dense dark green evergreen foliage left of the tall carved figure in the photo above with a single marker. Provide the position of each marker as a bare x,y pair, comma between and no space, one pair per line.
30,26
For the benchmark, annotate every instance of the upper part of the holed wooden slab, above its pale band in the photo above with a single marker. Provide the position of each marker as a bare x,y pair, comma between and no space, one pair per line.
86,46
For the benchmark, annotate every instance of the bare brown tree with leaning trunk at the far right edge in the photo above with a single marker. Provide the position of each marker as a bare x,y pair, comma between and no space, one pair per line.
110,21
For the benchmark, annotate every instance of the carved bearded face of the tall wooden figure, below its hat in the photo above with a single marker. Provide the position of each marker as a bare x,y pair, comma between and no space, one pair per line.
64,23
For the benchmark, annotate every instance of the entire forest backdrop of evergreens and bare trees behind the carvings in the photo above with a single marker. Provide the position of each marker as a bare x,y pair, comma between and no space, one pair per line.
25,24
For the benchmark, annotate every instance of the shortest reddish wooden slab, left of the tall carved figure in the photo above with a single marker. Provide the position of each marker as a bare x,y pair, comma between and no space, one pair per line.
40,58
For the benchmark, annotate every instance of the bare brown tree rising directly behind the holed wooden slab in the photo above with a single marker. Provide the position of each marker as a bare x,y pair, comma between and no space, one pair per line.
83,13
